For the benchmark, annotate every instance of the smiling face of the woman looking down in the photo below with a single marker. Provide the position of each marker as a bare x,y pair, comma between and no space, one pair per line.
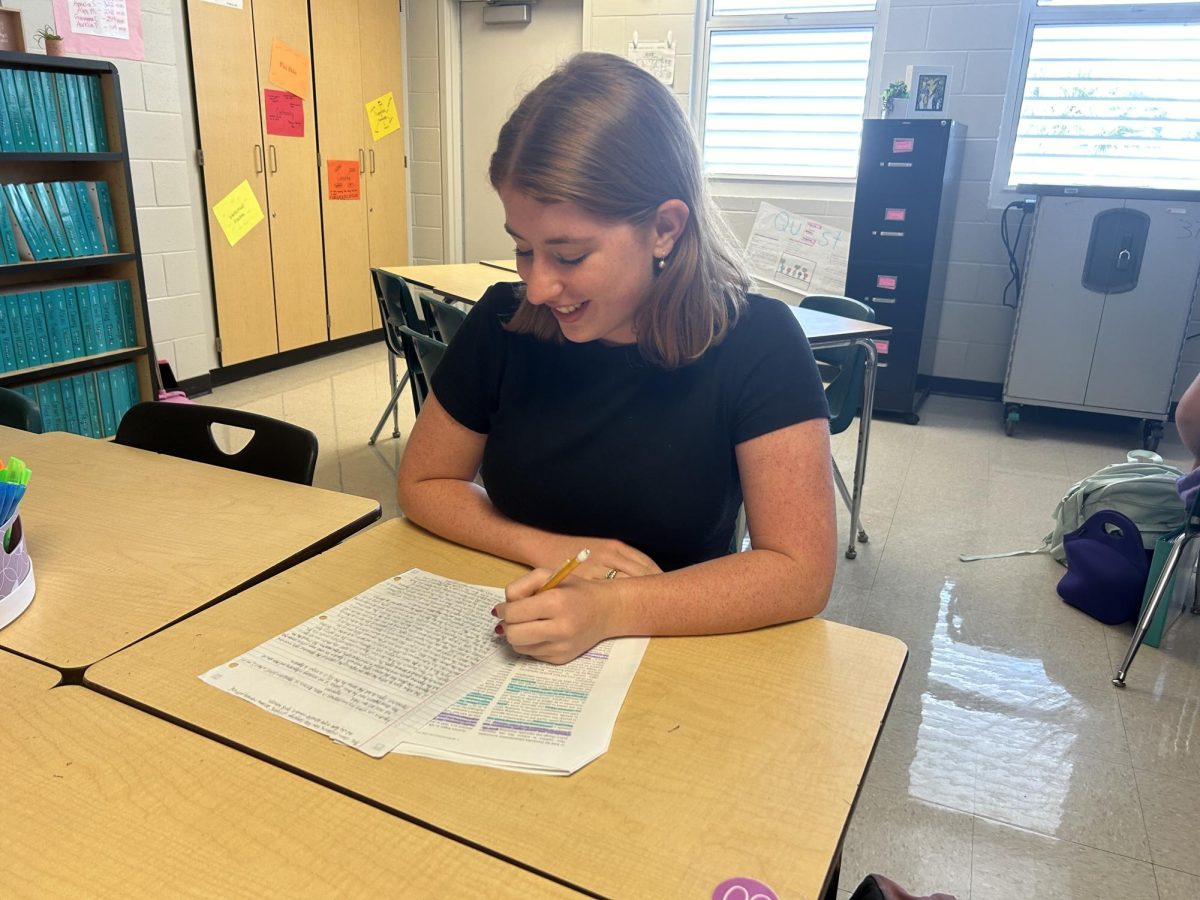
595,275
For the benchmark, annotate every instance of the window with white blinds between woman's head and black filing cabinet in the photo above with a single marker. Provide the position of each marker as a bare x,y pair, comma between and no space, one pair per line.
785,87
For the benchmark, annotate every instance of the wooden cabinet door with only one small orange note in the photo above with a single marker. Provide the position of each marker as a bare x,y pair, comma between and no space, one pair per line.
340,116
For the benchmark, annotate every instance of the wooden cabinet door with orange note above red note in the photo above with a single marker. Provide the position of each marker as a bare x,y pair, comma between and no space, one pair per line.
293,193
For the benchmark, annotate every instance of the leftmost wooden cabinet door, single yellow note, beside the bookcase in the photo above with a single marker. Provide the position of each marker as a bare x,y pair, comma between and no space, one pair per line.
226,79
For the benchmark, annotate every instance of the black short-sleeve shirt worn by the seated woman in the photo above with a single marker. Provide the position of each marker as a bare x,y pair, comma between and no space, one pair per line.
591,440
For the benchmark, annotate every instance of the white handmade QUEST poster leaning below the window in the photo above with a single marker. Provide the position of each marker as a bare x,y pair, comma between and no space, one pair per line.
797,254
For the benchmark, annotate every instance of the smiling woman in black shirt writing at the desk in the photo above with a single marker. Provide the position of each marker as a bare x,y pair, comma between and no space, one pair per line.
631,397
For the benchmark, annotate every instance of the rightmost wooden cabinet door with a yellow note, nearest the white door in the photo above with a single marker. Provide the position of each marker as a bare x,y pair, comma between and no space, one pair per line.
383,70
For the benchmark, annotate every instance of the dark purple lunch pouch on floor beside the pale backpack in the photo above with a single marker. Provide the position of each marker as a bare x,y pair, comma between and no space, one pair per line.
1107,568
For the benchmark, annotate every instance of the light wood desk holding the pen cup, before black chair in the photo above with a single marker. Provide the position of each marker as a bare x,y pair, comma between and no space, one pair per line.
125,542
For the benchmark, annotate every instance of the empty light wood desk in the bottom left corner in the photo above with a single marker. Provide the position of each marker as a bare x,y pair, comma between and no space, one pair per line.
101,800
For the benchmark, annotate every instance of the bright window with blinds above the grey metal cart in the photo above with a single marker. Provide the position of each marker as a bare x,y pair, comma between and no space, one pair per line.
1109,97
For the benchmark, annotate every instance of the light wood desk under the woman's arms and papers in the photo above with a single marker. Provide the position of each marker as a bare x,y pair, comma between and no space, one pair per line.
734,755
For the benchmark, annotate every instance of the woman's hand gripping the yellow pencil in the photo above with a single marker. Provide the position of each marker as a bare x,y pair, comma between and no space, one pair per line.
560,625
